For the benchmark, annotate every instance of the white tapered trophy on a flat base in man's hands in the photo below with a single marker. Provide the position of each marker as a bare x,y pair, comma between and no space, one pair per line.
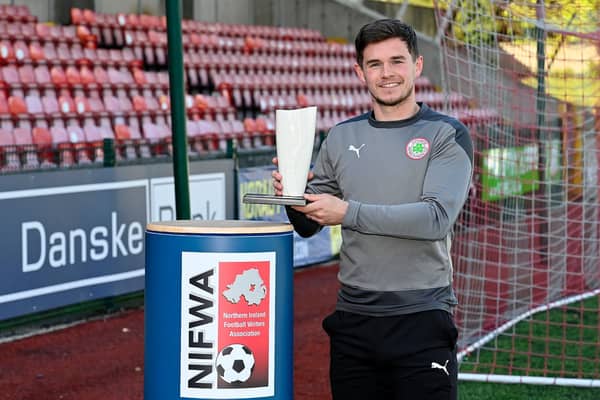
295,138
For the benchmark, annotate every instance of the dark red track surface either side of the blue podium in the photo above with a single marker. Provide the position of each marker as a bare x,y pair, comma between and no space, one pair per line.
104,359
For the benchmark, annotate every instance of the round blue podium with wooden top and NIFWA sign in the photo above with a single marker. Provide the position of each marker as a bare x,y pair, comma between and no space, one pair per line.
218,310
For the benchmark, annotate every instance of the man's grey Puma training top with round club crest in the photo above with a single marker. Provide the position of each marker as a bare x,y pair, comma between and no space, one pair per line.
406,182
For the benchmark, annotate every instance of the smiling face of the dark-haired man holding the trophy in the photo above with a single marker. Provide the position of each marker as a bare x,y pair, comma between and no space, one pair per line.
389,72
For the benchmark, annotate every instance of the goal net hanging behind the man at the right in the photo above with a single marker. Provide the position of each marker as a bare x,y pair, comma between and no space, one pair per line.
527,251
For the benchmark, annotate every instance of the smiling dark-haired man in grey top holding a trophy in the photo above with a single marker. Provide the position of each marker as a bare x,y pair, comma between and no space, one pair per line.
395,179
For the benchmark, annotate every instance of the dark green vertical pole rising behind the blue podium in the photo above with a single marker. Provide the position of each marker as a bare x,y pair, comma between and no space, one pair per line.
177,95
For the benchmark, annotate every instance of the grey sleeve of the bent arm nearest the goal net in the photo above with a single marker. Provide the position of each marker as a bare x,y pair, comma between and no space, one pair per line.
445,189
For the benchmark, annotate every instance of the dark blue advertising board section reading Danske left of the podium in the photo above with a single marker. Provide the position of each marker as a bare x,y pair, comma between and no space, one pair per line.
71,244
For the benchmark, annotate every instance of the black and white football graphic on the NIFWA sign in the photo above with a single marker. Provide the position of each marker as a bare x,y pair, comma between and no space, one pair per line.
235,363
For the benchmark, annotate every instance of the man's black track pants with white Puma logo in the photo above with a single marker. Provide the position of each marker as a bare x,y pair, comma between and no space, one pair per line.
408,357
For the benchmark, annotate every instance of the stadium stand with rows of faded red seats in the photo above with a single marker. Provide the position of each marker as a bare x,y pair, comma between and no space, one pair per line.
104,76
